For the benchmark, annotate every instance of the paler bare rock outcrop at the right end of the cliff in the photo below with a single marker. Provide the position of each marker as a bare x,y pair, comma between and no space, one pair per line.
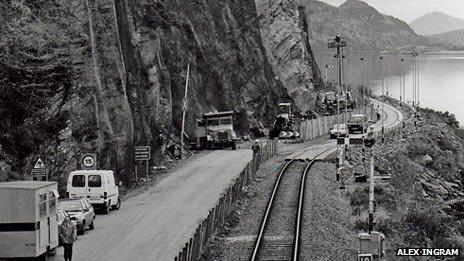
283,29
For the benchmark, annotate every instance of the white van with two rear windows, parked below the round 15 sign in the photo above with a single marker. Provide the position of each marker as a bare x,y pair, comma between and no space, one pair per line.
97,186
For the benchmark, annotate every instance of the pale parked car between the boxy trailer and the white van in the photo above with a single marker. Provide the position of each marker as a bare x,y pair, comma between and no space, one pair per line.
81,211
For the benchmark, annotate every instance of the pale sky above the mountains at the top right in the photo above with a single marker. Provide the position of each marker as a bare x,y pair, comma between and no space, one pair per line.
408,10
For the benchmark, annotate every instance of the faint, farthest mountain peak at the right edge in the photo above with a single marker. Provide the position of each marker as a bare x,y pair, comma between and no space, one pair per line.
436,23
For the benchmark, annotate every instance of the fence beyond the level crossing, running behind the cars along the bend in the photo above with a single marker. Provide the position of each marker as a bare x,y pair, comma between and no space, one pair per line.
320,126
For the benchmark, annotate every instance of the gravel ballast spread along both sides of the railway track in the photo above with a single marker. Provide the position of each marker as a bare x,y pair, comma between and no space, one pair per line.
327,236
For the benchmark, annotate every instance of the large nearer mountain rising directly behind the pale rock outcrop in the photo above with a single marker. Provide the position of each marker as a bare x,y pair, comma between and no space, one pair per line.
362,25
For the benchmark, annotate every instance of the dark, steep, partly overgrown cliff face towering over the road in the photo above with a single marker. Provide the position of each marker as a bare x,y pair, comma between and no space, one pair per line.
105,75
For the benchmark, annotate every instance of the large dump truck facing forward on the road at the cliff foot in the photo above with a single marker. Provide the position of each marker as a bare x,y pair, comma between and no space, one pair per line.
215,130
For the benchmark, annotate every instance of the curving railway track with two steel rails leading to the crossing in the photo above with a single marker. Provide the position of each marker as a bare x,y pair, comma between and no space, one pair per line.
279,234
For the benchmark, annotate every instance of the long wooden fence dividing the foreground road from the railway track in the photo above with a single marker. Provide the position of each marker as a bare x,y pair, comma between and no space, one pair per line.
217,216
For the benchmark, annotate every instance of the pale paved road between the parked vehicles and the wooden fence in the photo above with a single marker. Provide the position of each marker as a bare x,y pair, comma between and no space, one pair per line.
153,225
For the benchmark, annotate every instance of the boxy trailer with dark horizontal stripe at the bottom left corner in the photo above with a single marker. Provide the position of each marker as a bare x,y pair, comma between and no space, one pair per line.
28,219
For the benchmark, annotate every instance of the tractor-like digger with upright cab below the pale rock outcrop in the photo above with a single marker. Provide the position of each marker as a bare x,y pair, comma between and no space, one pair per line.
283,123
